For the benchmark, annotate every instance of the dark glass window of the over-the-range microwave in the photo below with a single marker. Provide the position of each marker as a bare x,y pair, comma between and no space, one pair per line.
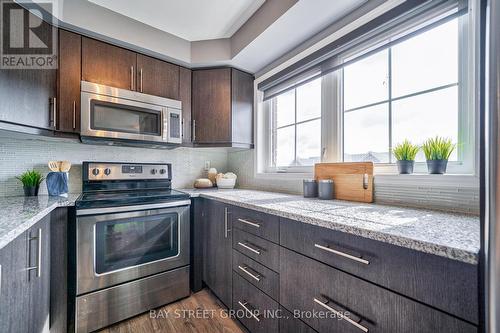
115,117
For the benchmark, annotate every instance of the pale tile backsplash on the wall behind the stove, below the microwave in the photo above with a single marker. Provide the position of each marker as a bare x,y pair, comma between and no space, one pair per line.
20,154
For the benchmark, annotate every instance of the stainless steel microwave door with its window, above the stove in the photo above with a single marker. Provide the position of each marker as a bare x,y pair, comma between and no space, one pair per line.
119,118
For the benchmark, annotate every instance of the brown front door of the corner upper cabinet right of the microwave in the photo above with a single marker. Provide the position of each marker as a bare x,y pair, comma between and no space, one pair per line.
212,106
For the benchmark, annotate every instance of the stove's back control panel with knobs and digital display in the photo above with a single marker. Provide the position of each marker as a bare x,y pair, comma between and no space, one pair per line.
123,171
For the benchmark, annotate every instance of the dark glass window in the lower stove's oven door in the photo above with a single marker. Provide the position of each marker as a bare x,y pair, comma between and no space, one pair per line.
134,241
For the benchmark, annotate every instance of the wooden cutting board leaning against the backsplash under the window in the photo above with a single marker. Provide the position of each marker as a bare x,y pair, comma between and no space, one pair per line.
352,181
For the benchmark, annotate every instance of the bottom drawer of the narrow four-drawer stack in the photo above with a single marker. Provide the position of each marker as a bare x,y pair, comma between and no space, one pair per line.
257,311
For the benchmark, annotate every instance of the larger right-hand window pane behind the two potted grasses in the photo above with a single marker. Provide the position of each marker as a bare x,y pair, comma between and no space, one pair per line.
408,91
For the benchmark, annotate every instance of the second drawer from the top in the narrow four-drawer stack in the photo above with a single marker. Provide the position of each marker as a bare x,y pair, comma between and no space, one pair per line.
259,249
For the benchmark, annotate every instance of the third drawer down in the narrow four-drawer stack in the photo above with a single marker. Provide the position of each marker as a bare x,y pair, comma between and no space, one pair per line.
257,274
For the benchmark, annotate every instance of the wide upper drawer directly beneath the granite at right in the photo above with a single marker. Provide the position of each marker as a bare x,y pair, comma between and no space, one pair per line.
446,284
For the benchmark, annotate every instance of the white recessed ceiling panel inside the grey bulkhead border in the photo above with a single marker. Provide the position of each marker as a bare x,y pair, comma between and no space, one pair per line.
191,20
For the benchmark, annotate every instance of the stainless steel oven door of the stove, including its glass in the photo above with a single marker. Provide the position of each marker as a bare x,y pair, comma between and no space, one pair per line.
120,247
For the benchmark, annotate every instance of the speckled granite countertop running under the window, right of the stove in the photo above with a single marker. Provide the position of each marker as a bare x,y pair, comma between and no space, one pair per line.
449,235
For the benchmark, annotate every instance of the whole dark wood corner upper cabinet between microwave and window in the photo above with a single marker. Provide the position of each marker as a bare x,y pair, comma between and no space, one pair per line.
222,108
